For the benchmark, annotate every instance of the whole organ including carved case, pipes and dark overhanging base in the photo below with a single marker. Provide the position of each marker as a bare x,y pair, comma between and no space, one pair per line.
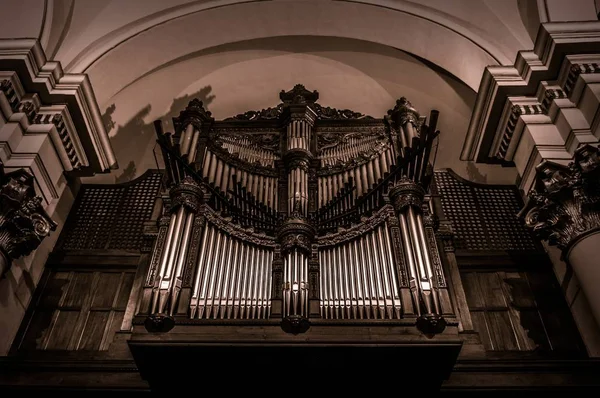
296,237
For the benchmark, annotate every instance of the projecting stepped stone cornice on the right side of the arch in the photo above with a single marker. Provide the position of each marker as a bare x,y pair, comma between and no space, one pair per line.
554,42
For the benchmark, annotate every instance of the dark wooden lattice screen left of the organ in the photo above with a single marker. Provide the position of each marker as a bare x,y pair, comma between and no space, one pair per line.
111,216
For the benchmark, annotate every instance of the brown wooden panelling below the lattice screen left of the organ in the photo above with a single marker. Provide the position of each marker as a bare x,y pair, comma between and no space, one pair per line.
78,310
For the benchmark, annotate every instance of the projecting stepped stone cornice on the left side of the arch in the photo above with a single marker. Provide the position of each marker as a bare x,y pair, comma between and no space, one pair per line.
39,88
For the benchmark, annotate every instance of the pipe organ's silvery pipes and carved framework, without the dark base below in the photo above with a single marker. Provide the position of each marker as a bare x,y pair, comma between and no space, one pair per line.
298,213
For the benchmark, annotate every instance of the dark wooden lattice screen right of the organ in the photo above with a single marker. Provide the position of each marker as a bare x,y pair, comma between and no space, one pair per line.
483,217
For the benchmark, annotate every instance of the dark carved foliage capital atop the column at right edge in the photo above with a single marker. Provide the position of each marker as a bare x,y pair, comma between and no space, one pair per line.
565,201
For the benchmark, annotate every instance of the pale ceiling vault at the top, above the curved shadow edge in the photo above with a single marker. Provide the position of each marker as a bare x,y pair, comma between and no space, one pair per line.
460,36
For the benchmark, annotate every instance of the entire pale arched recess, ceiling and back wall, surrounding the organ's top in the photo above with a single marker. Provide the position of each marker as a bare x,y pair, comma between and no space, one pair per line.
146,58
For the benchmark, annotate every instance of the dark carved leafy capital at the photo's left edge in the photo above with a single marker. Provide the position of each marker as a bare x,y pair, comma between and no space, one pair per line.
23,221
